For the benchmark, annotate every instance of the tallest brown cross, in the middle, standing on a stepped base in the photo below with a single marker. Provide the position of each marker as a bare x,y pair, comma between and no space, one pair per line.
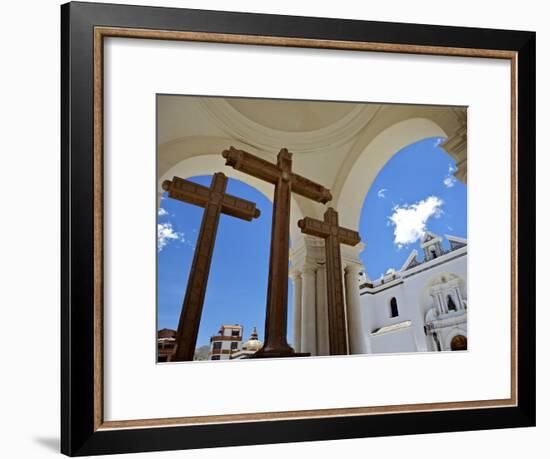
286,182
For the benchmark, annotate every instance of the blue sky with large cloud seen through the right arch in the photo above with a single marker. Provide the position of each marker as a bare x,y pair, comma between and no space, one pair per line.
414,192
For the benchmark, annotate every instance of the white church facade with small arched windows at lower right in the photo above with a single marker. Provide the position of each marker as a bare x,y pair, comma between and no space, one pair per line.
423,306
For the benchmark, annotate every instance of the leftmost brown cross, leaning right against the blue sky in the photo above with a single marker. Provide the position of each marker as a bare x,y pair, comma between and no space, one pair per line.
215,202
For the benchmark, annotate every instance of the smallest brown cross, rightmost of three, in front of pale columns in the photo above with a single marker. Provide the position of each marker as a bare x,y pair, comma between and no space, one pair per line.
333,235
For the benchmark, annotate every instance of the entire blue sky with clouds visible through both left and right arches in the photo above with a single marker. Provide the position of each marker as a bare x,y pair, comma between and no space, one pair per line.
414,192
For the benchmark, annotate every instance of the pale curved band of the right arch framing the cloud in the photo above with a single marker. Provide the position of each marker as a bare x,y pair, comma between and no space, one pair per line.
351,194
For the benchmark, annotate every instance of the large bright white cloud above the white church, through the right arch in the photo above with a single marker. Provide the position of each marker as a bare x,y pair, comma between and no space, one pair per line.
410,221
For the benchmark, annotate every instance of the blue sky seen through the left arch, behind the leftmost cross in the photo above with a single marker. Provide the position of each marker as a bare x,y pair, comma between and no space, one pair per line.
237,283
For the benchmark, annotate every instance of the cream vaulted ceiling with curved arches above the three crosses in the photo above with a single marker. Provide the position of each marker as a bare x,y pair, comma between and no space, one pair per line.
340,145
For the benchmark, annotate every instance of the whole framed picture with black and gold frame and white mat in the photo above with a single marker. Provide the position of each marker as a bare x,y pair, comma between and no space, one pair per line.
280,229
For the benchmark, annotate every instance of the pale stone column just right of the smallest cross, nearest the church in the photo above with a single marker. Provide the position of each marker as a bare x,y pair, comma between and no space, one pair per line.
356,332
